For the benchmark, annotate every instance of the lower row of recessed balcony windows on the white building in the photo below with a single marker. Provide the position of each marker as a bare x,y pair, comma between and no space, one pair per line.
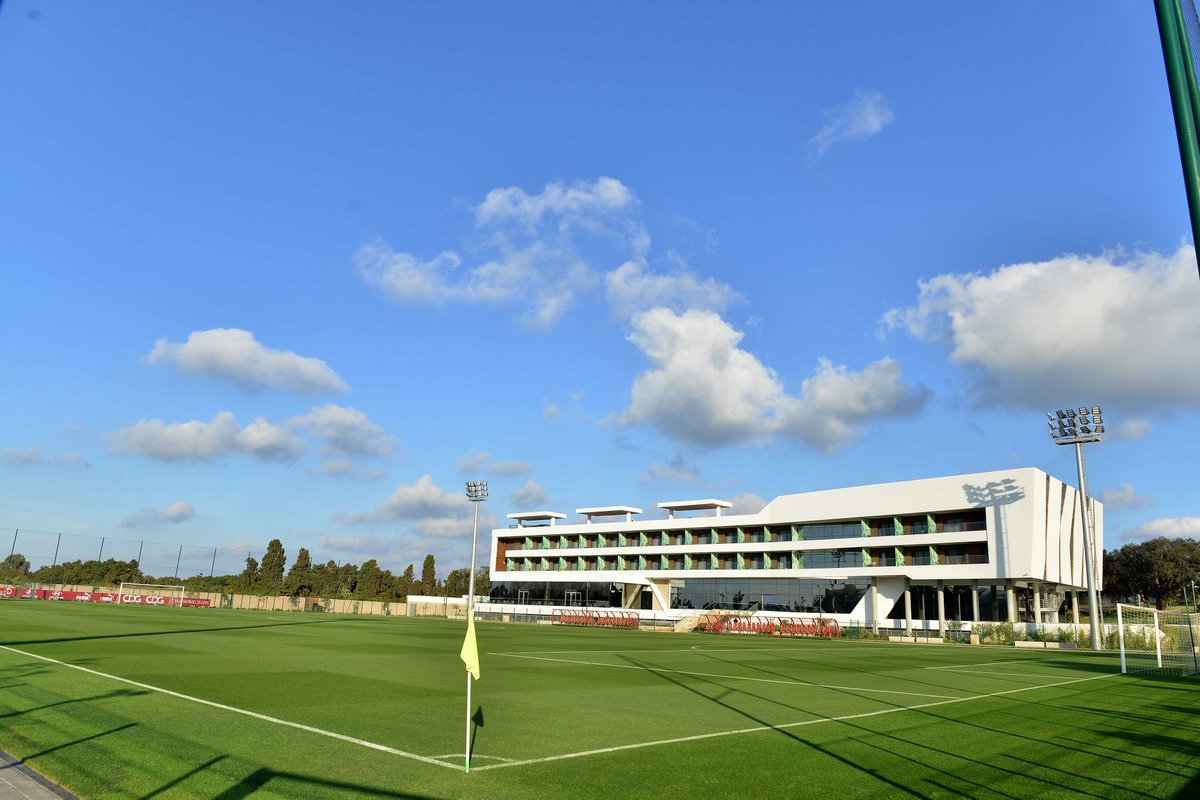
783,561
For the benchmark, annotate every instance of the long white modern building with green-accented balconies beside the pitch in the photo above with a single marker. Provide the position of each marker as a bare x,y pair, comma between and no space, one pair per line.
1001,546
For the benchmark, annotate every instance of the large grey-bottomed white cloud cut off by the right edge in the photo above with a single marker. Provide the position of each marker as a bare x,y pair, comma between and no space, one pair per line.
1113,329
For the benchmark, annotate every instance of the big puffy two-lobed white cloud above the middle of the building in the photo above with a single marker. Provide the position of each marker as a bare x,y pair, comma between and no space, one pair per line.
706,390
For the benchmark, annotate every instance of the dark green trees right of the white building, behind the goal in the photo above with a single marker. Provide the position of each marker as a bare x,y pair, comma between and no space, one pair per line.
1159,570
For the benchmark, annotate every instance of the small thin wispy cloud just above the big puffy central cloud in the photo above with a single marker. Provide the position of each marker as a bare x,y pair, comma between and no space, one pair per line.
631,288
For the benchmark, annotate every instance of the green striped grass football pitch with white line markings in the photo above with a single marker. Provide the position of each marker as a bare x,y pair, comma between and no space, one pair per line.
135,702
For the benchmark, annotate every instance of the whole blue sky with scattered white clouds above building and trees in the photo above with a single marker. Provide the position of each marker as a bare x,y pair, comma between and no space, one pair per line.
299,270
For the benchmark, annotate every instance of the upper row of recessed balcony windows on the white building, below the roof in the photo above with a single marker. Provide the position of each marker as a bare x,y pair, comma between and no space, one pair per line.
891,527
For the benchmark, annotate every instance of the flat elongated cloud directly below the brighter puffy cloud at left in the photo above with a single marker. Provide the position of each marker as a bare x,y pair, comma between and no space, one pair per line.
196,441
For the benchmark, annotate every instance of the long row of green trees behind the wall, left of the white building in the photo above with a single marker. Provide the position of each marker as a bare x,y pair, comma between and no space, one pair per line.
269,578
